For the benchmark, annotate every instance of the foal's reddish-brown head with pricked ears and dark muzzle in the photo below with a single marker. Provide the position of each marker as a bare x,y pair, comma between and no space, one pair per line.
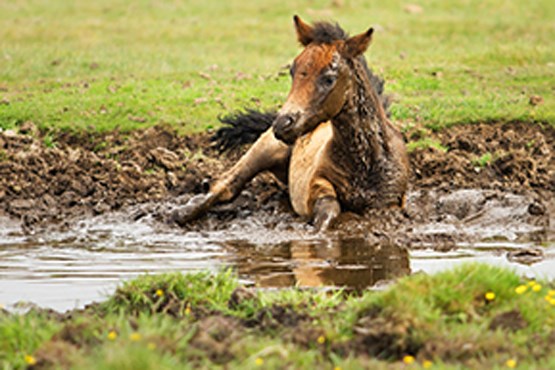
322,79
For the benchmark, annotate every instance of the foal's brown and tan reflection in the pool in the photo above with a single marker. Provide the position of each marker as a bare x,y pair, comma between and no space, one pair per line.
352,263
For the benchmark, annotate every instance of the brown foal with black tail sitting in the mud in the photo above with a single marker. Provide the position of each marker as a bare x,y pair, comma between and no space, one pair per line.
332,141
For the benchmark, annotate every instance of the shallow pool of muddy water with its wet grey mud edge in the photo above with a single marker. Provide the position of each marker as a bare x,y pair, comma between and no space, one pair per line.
63,269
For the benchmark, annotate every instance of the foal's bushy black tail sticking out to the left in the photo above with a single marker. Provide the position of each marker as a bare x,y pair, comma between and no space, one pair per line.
242,128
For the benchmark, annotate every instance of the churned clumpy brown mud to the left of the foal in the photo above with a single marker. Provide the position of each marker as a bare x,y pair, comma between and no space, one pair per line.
45,181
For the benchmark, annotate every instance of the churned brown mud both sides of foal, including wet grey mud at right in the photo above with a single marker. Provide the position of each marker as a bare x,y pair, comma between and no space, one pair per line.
50,180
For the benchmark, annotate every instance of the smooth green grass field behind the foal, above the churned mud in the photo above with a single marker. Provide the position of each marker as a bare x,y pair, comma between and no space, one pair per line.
104,65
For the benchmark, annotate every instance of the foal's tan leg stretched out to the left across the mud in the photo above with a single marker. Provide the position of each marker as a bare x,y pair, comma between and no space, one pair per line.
267,153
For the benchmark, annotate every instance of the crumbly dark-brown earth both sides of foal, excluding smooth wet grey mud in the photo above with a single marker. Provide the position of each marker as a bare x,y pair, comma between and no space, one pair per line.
75,175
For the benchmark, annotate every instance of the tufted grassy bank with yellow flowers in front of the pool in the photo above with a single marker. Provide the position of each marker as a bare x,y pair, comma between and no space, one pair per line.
477,316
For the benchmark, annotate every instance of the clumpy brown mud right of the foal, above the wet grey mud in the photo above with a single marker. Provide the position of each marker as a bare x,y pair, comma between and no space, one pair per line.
514,156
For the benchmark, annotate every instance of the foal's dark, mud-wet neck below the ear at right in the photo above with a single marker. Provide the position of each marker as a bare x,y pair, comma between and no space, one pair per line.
359,127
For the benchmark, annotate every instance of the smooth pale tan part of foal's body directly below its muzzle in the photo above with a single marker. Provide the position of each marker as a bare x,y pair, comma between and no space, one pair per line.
309,160
